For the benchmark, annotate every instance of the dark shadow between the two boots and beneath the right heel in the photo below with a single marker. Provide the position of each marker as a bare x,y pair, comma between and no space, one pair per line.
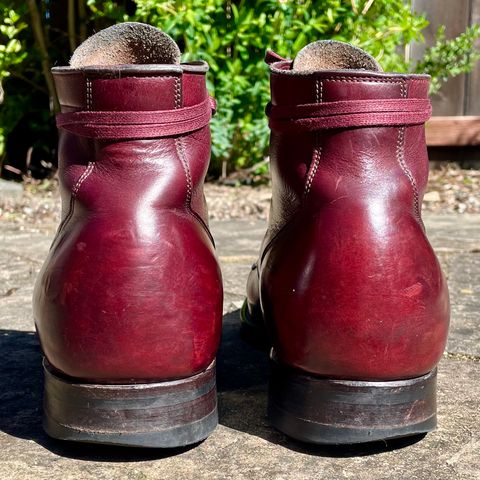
242,380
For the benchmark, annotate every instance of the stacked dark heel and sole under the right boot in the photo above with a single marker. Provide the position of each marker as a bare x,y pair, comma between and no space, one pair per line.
325,411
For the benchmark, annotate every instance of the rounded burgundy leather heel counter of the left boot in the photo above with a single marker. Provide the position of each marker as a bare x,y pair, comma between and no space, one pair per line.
111,306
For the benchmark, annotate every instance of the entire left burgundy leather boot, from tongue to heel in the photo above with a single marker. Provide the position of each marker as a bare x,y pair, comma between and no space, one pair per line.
128,304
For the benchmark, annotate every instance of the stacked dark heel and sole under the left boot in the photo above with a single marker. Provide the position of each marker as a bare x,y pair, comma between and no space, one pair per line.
156,415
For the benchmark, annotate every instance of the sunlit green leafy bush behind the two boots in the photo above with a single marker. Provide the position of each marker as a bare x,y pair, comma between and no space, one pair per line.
232,37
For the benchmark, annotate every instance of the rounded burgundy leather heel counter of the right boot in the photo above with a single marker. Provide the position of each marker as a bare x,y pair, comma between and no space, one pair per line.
335,309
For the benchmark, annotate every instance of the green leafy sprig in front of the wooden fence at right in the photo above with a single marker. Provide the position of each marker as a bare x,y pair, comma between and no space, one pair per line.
448,58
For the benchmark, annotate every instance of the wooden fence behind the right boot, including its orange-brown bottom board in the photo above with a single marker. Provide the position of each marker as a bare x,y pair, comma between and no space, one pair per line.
456,109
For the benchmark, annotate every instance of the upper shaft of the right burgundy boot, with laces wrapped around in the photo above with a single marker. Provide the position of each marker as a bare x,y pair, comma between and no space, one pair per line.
358,137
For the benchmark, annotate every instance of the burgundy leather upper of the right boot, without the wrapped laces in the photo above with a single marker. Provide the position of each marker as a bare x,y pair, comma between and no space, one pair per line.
349,285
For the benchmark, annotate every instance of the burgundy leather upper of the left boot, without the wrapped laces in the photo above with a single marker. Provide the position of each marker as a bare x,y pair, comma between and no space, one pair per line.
131,290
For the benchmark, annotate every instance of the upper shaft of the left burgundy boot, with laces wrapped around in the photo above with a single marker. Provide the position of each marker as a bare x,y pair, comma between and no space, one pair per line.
113,155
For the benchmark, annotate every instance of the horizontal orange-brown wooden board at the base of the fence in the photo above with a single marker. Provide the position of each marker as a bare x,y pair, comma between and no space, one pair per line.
453,131
